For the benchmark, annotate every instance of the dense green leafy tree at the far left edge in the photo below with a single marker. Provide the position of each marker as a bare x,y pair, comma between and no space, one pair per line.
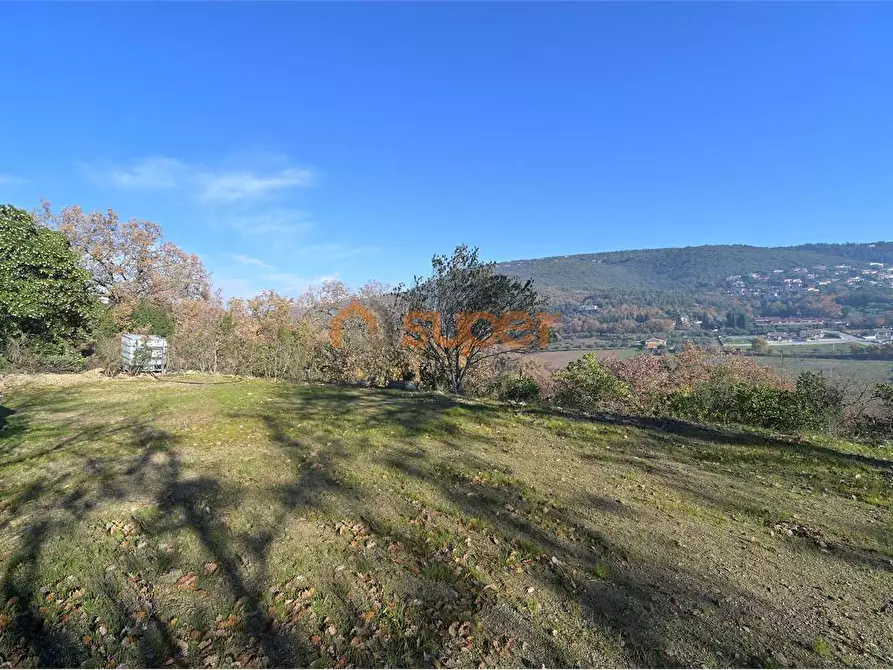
43,291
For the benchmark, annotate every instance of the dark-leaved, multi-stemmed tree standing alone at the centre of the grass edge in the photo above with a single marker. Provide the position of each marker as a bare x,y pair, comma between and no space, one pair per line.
469,314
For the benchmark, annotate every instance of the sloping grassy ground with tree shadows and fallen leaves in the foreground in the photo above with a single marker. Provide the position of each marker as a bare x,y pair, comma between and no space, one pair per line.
214,522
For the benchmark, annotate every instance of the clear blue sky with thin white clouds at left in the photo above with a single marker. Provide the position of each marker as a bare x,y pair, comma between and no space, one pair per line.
286,142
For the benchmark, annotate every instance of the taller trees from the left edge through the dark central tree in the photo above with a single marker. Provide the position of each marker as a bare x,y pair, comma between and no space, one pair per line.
71,282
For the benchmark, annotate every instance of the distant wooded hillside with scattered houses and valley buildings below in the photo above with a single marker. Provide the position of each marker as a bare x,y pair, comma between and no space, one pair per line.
807,294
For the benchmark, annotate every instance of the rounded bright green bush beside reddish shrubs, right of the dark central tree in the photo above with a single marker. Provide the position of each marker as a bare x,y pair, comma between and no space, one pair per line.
587,385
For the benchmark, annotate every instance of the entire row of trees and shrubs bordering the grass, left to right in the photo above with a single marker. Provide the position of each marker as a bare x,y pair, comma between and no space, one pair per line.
71,282
